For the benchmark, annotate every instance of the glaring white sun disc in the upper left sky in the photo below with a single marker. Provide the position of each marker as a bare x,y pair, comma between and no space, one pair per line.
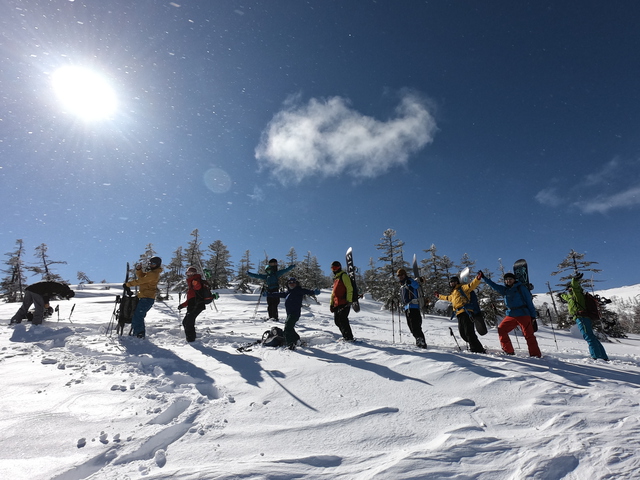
84,93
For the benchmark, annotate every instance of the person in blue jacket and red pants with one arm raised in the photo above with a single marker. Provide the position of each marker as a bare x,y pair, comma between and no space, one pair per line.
520,312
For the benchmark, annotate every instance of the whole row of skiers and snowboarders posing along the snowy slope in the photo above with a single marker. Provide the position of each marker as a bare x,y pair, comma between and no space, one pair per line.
520,311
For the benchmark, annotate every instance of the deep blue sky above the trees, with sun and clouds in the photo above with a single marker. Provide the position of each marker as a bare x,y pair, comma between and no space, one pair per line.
499,129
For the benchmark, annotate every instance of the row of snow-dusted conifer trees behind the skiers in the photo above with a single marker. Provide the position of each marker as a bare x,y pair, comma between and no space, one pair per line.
378,280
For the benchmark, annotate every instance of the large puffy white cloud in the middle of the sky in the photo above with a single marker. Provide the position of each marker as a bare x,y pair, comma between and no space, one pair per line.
329,138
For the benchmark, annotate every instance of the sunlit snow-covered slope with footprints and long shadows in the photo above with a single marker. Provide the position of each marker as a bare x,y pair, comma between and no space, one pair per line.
79,404
